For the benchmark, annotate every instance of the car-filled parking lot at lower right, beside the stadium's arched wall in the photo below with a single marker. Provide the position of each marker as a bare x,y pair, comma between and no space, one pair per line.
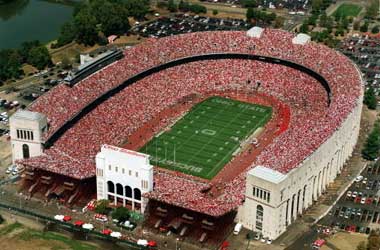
359,208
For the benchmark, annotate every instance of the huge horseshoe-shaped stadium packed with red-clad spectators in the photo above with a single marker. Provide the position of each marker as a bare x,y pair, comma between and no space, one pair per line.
198,130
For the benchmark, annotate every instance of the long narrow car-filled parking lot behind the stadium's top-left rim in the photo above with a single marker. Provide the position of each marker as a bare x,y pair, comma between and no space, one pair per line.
184,23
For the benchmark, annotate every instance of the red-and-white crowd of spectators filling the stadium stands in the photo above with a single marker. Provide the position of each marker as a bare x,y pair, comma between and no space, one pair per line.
312,120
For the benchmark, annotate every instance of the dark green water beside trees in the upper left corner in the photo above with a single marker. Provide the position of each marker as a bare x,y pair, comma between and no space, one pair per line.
26,20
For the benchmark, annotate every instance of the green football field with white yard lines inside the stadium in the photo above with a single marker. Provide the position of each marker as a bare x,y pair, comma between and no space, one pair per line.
205,139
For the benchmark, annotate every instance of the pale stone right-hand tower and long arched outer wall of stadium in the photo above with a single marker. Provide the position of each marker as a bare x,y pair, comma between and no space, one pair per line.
274,200
